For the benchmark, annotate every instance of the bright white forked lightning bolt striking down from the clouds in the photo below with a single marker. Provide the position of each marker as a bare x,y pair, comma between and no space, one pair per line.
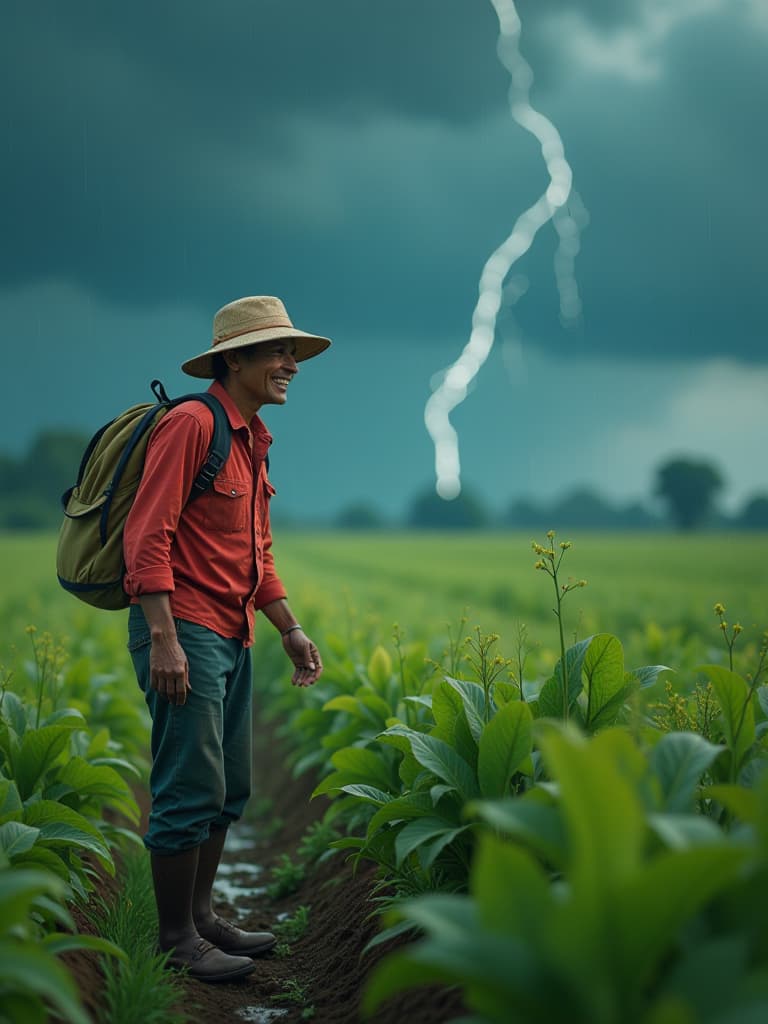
551,206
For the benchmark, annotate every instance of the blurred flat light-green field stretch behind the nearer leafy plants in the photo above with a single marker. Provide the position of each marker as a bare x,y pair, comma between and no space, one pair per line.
655,591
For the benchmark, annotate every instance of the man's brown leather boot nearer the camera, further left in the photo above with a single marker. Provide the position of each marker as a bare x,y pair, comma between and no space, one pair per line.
174,877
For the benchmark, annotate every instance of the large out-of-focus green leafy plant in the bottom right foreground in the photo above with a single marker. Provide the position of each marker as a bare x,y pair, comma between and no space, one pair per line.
608,910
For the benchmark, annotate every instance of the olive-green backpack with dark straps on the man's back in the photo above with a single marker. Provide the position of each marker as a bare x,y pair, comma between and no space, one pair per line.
90,556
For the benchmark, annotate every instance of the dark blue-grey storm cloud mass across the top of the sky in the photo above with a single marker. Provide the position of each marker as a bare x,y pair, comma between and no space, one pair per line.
179,153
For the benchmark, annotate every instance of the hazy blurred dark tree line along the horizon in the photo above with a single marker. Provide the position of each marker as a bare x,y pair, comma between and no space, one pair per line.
687,490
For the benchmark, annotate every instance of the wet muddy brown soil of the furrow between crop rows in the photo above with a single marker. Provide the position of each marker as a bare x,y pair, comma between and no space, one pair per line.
326,962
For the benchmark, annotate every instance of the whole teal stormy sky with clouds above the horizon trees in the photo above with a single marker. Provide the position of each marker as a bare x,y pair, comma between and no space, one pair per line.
359,159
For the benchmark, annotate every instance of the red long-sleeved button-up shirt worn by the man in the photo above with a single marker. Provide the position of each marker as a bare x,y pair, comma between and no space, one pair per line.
212,556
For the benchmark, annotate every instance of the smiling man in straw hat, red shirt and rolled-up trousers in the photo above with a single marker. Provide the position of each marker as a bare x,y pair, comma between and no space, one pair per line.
197,574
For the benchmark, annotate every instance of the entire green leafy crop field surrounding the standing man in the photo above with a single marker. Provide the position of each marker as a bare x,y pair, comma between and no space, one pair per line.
641,794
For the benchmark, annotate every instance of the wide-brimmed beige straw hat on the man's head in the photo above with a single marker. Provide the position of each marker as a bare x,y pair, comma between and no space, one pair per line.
249,322
